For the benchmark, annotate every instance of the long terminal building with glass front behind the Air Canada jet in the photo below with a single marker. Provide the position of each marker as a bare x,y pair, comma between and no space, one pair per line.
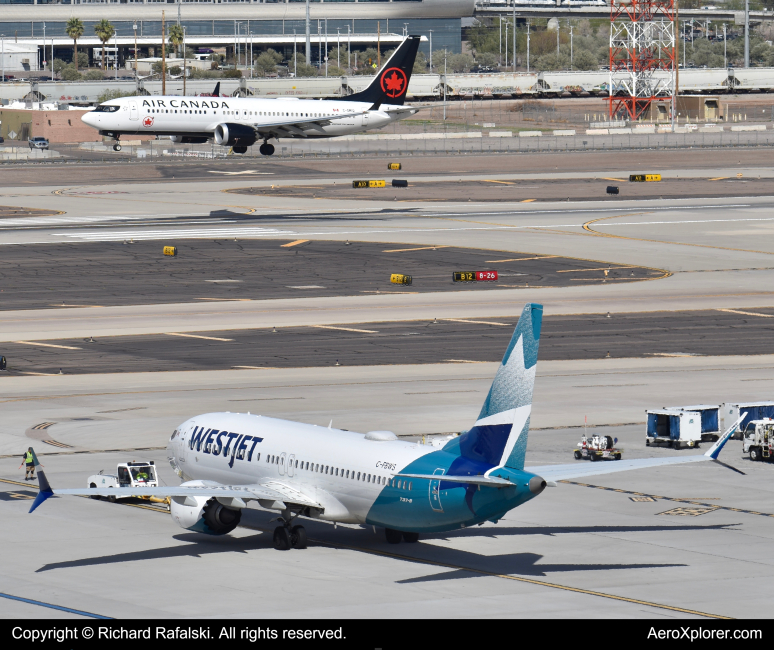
219,23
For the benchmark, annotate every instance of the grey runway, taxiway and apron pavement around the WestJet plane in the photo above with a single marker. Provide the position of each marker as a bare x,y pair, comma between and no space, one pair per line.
707,309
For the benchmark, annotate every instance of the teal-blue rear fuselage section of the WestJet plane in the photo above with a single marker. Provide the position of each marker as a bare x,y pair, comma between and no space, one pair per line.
455,504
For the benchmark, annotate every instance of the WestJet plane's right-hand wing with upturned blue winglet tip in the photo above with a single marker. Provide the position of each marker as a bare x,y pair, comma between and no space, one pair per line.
582,469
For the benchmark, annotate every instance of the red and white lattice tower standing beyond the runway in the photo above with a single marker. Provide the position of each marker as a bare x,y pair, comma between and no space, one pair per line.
643,62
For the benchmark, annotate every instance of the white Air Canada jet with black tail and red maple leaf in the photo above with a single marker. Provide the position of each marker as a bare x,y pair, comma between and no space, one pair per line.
240,122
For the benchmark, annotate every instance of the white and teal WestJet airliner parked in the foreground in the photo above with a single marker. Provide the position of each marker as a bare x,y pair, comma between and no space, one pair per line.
227,460
